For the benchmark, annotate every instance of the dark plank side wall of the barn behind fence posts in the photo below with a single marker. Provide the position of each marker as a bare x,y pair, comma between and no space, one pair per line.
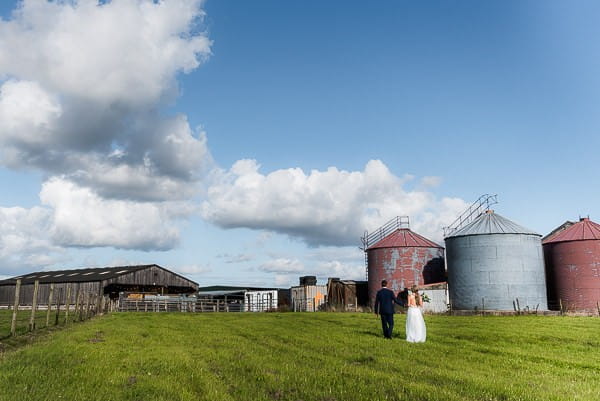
7,292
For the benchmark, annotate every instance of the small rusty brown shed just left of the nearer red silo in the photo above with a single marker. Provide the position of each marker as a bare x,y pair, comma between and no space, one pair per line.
344,295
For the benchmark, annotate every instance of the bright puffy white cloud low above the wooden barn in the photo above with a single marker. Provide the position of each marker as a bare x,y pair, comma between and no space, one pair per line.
82,218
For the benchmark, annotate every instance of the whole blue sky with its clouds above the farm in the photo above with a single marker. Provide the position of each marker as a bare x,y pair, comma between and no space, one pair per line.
278,131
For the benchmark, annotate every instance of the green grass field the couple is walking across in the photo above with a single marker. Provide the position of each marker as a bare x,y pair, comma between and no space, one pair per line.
306,356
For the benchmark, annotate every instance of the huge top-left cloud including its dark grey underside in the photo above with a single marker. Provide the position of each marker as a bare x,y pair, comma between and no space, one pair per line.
84,86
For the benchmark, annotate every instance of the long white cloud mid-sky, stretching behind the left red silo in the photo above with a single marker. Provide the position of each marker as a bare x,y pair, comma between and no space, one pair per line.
331,207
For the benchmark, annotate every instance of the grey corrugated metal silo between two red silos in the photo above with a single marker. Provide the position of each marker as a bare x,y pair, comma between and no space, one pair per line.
493,262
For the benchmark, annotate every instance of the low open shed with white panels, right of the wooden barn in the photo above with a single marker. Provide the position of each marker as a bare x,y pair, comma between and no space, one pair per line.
240,299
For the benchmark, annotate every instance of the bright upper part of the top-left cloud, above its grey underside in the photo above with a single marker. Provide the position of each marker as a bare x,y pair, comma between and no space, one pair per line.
123,51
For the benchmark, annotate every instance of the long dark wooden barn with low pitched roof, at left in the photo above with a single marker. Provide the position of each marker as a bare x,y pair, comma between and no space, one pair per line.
106,281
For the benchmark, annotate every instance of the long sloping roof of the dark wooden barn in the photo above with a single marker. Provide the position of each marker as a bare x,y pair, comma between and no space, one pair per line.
80,275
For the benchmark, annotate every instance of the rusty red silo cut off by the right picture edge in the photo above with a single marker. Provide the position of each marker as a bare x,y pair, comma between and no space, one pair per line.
573,267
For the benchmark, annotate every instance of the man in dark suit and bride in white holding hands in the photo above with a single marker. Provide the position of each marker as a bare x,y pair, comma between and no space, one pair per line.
415,324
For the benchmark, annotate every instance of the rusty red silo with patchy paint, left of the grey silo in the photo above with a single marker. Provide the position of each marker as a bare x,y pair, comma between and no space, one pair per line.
402,257
